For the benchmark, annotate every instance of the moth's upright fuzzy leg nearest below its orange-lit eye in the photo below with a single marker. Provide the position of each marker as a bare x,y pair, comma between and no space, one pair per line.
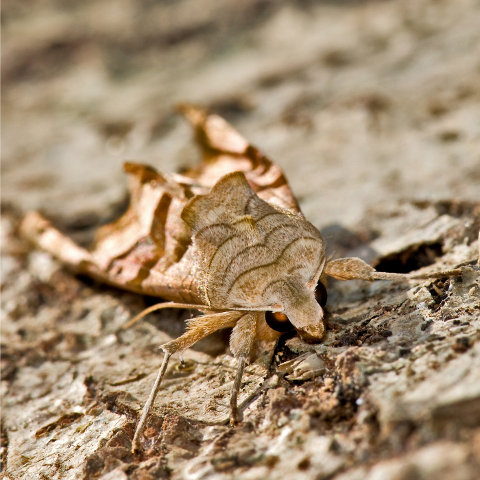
241,344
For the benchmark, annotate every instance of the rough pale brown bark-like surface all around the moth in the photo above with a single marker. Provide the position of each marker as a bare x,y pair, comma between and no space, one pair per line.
372,110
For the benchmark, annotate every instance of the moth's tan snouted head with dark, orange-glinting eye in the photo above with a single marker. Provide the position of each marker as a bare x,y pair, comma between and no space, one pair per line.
299,306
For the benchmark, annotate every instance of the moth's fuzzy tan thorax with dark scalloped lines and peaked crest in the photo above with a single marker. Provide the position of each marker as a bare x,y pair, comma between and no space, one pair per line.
243,245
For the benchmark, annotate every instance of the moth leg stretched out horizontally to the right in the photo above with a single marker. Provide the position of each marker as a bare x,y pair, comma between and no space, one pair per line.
353,268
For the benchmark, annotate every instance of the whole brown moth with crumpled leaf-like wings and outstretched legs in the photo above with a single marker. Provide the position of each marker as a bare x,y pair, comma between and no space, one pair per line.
226,238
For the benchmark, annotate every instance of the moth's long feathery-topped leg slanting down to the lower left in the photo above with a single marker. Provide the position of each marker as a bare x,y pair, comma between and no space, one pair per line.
197,329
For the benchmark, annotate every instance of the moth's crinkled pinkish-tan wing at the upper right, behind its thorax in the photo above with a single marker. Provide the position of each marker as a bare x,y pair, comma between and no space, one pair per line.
224,150
